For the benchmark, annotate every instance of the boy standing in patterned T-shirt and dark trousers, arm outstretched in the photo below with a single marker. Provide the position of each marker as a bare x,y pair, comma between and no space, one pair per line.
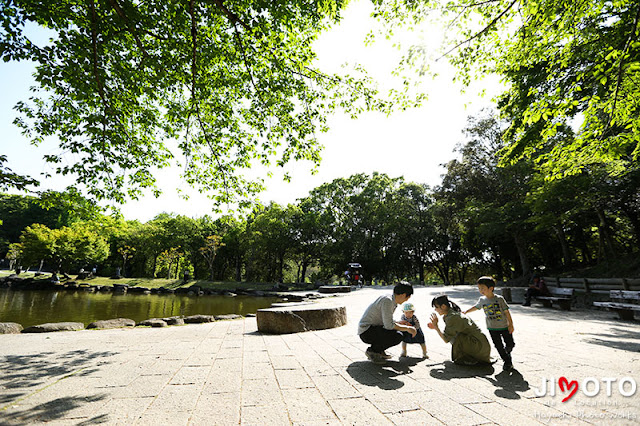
499,322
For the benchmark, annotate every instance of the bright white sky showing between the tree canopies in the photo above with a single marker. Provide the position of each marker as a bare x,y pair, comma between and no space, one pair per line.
413,144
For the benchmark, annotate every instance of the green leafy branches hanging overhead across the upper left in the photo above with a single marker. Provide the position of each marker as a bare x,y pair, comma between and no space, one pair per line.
130,87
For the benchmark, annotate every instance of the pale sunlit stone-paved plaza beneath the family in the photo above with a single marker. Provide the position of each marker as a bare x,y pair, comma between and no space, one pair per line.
228,373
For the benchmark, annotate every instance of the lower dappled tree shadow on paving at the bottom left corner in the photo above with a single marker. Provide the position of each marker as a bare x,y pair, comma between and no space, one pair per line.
48,411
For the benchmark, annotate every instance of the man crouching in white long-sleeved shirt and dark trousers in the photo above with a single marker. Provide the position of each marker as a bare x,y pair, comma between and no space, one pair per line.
377,327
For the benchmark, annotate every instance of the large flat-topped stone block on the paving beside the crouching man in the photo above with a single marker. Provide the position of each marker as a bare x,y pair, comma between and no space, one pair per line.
295,319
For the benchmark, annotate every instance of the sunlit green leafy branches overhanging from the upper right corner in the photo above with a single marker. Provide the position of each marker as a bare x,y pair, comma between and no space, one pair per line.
564,61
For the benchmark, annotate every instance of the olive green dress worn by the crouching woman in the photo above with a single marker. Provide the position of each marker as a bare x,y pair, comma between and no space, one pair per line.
468,344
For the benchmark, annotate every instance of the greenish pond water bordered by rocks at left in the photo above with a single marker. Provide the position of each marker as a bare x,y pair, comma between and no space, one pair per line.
40,306
